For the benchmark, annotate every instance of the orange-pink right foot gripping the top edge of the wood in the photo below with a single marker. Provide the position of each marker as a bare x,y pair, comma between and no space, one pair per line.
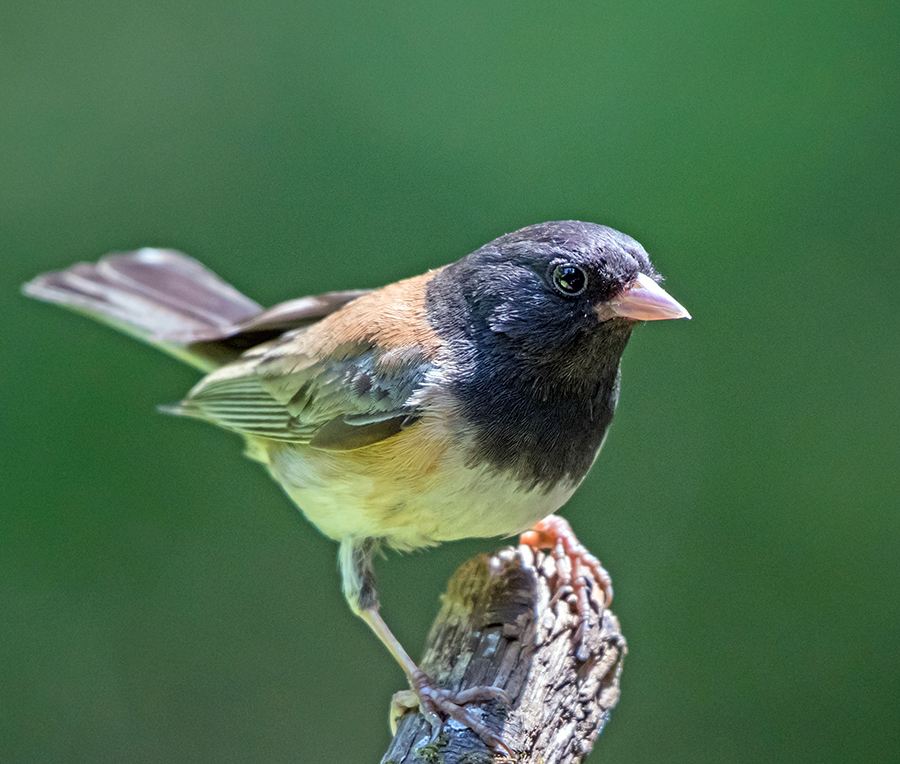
574,564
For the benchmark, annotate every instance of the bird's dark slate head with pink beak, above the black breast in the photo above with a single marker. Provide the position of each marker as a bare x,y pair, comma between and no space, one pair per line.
563,294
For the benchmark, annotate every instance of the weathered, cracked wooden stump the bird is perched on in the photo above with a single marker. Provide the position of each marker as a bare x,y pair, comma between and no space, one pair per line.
501,625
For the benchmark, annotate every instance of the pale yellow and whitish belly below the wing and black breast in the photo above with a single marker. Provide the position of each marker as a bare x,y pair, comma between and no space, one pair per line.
412,490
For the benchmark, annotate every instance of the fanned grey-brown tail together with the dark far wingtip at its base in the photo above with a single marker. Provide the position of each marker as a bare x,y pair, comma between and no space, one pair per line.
174,303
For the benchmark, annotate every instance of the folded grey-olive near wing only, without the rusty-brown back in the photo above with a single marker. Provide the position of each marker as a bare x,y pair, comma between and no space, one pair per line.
356,395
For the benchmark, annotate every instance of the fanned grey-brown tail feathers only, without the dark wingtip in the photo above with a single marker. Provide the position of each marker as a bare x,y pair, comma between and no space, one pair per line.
159,296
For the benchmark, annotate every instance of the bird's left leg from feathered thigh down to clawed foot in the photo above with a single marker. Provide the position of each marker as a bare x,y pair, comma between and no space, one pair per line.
435,703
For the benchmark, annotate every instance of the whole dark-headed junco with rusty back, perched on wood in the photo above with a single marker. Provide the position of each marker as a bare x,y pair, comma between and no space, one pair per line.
469,401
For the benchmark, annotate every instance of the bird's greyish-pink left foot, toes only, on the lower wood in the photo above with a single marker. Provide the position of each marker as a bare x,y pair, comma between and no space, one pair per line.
438,704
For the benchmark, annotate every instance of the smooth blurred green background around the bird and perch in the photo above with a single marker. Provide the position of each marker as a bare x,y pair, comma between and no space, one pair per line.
161,600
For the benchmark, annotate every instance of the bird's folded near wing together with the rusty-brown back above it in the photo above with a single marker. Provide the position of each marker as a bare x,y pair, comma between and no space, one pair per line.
345,382
